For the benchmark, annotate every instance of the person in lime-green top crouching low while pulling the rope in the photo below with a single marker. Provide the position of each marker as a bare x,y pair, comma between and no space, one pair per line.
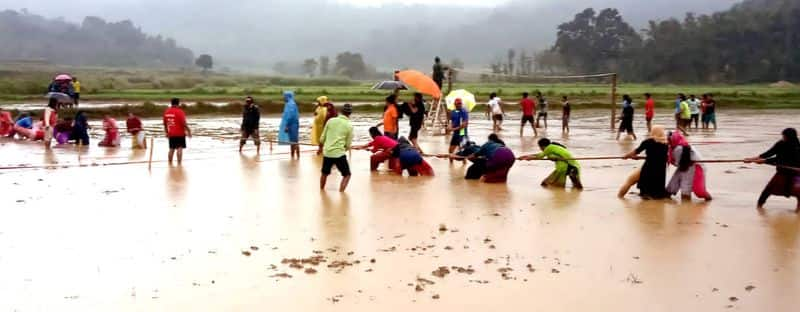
566,166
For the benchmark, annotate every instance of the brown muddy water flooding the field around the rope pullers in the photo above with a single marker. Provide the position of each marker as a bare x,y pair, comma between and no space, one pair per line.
85,236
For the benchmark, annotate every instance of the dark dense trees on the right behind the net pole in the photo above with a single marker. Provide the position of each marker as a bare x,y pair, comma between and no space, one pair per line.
755,41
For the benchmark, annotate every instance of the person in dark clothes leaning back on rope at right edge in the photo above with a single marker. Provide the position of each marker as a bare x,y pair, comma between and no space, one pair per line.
785,154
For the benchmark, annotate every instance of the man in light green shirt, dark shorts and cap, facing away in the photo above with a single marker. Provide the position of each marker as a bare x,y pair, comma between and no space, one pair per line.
337,136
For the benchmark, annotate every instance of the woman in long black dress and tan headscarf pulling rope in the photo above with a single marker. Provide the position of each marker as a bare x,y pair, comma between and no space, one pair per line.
650,179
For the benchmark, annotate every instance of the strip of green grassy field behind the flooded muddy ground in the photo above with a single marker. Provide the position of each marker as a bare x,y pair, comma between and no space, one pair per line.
25,84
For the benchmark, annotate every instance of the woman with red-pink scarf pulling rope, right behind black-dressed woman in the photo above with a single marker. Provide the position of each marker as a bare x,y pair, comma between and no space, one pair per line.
690,176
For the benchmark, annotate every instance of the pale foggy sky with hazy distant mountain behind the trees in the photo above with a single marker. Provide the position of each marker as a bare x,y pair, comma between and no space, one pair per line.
390,33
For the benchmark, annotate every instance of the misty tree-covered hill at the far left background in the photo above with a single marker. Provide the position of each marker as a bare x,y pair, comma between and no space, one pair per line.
27,36
